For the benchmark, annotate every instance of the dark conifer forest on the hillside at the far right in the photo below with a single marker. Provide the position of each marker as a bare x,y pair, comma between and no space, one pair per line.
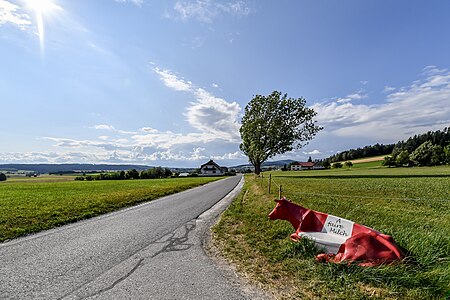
439,138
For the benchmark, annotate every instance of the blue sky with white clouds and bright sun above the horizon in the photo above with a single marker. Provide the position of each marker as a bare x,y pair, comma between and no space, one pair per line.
165,83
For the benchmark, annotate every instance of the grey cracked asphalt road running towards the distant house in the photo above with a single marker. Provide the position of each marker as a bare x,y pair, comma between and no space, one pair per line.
150,251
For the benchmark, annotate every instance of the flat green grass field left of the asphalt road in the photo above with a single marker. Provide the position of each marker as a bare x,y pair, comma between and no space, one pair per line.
29,205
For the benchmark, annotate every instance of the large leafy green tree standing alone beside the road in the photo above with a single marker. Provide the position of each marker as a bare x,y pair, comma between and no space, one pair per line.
275,124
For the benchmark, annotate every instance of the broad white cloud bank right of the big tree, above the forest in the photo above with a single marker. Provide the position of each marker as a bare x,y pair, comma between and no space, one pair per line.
420,107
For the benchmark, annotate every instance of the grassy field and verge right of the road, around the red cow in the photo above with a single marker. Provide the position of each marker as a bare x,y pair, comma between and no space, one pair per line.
411,204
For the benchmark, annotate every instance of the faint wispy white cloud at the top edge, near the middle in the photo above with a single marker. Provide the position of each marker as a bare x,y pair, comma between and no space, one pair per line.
206,10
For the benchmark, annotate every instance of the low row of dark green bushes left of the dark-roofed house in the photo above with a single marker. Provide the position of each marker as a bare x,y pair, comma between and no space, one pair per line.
154,173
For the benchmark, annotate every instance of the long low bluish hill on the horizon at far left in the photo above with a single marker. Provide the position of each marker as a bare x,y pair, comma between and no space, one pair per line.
67,168
